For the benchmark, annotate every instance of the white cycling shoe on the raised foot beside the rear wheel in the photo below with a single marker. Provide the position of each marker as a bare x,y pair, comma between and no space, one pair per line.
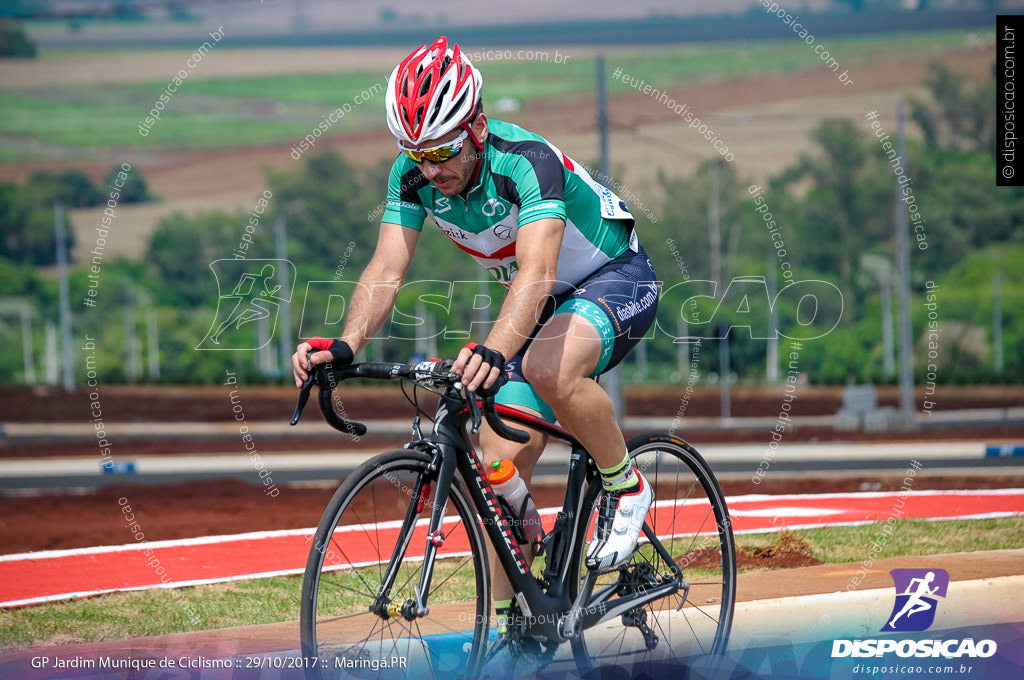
620,521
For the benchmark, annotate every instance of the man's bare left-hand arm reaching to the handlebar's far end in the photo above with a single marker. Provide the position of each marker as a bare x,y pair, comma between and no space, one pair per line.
374,297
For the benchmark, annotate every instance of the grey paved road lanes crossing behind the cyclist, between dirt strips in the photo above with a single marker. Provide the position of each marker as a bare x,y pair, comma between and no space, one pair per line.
84,474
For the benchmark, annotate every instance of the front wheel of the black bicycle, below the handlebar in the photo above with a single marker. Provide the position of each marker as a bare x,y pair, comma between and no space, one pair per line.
359,538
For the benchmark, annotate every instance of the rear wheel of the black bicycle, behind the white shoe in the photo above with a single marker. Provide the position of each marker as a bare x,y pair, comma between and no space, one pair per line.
691,519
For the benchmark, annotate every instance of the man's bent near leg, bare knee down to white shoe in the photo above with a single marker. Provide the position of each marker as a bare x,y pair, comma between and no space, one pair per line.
559,365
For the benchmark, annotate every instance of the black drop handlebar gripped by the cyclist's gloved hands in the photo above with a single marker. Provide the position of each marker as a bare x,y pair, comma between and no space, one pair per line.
437,373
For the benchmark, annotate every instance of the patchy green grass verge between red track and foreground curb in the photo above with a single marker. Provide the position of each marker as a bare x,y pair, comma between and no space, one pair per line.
273,601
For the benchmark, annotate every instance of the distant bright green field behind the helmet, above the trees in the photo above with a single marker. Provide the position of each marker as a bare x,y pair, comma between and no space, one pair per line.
224,113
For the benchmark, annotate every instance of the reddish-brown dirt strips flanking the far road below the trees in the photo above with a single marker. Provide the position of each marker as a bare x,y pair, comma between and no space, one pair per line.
169,405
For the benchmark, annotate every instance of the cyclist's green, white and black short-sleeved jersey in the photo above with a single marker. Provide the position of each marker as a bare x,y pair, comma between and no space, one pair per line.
523,180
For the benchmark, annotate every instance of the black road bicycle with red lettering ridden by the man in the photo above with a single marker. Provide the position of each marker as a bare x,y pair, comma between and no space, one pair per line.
398,581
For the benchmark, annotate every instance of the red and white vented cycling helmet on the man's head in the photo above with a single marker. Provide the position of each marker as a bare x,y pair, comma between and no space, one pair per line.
432,93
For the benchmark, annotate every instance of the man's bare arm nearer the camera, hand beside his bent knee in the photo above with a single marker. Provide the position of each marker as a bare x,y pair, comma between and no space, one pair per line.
538,246
